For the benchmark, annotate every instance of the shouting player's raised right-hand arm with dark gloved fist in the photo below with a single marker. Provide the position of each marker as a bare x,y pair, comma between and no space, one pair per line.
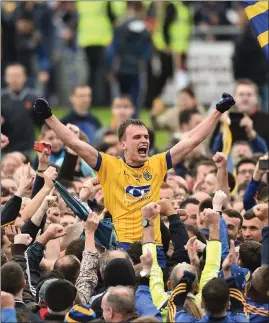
197,135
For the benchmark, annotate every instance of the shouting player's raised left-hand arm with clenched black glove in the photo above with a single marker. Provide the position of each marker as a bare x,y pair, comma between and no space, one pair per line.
69,138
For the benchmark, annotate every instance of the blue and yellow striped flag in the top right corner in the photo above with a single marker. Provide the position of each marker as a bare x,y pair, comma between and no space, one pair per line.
258,15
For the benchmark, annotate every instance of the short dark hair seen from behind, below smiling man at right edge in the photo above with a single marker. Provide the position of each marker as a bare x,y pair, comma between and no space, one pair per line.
250,255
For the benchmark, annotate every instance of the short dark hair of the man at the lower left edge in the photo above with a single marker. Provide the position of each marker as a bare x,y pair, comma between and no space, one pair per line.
12,278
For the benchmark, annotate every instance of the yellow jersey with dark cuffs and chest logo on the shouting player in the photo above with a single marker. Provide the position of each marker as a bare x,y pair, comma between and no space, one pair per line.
128,189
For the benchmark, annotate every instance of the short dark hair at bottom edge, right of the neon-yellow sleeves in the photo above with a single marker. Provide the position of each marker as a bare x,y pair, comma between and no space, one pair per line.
215,295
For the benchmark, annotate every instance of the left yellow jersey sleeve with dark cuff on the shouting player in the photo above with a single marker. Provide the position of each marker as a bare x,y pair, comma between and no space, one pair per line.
105,166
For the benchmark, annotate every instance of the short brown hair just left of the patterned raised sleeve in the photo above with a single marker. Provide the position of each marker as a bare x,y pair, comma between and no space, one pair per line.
69,266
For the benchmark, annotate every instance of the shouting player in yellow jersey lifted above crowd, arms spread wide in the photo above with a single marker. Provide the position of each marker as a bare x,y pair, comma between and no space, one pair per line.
131,182
